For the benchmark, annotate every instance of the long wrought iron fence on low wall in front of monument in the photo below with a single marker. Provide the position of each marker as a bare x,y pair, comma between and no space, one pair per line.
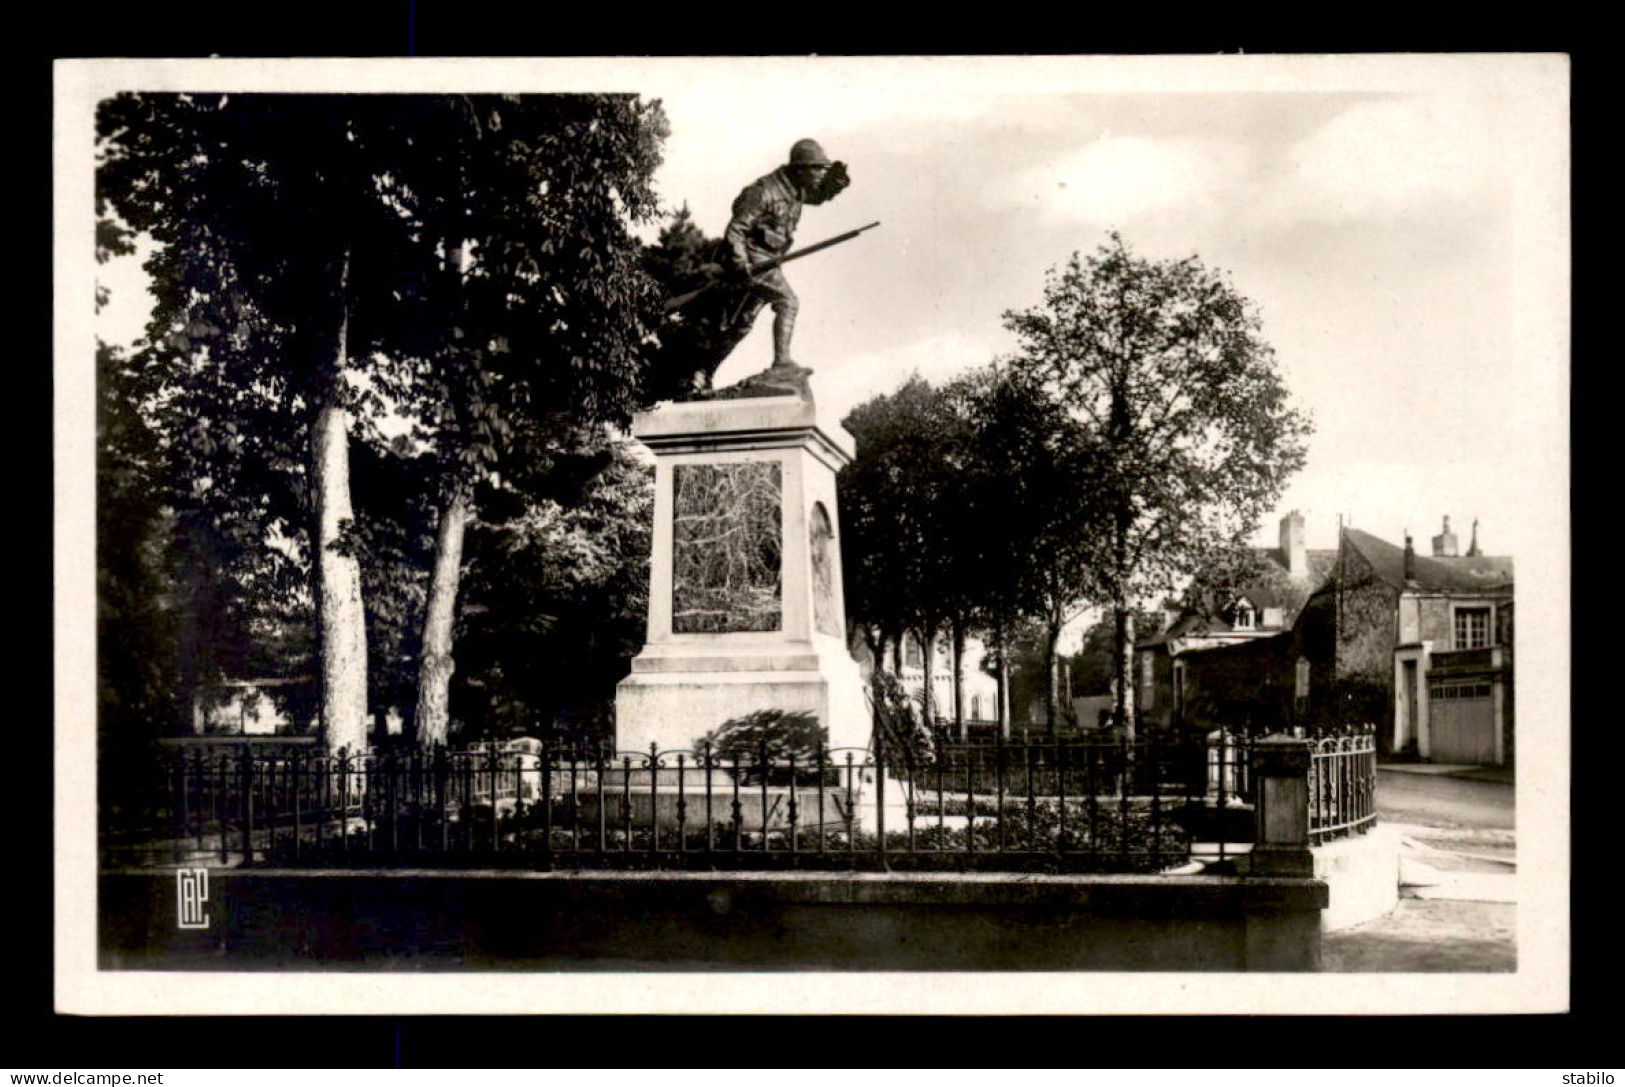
1007,807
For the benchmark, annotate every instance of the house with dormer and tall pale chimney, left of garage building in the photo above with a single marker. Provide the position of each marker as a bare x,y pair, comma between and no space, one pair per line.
1263,608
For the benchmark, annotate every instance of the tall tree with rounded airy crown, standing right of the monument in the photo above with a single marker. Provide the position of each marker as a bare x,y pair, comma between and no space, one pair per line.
1166,365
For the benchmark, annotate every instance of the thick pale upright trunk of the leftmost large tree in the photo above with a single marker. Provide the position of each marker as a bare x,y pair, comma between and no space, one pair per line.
344,623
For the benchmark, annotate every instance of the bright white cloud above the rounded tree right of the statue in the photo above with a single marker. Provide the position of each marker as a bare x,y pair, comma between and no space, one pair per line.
1119,180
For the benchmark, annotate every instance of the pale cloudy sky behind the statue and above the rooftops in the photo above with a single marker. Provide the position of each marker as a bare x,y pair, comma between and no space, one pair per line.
1400,225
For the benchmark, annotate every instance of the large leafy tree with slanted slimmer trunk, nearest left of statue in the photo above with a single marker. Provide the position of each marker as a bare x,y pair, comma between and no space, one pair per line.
548,308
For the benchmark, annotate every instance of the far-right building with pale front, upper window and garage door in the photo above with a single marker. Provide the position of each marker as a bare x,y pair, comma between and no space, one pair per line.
1419,646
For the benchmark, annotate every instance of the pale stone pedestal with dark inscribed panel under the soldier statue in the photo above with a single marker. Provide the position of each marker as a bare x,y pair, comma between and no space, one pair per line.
747,607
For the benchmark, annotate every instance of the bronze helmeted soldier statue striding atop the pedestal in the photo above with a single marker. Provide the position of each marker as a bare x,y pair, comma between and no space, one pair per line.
763,230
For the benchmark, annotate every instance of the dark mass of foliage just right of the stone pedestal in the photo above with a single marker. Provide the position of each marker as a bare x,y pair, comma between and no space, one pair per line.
968,509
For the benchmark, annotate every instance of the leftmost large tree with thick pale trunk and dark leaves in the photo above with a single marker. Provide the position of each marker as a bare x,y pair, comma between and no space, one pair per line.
279,277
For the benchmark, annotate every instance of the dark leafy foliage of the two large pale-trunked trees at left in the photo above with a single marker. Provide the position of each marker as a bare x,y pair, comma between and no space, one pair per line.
456,266
